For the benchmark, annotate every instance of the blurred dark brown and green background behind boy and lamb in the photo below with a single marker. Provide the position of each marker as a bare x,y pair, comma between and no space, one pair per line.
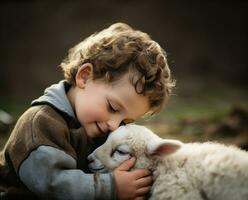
206,43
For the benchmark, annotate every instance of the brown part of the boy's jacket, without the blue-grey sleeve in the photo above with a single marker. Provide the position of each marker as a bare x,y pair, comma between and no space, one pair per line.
24,140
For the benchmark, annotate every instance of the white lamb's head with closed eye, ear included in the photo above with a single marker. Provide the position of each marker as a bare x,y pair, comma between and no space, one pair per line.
131,141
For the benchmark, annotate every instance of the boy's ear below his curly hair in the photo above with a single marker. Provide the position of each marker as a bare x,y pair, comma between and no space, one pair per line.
84,74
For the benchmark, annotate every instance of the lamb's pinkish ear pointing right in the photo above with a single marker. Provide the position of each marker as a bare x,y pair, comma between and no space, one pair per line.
160,146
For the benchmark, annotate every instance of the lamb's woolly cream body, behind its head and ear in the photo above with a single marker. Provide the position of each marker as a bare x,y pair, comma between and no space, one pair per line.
202,171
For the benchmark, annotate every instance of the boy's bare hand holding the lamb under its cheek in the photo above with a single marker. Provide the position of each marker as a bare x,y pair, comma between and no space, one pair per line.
132,184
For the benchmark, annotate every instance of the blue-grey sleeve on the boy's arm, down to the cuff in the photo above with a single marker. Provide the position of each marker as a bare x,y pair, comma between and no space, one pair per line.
51,173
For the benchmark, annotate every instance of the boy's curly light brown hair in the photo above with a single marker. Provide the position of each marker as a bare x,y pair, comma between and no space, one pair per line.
119,49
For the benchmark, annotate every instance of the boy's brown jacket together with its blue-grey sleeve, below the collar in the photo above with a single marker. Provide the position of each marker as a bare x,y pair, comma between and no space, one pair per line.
25,166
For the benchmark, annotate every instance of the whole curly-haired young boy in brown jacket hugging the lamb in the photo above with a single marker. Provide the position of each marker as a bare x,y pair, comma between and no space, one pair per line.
111,78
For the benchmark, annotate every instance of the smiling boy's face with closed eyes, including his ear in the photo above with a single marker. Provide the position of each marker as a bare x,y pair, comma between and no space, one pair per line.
102,107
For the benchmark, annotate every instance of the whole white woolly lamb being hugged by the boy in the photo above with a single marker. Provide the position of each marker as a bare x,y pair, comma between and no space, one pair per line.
192,171
